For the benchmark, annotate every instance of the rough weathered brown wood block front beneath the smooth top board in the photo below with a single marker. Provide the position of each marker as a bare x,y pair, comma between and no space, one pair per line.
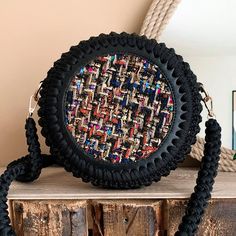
117,217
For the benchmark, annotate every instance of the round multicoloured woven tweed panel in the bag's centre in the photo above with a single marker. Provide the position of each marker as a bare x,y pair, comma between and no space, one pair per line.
119,108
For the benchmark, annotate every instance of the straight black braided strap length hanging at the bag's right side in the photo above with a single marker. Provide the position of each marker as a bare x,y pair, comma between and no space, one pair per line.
205,180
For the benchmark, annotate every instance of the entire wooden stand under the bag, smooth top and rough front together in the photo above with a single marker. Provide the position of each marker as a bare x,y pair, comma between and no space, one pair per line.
67,206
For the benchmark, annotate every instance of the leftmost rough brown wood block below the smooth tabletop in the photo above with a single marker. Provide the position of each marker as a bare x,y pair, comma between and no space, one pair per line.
50,218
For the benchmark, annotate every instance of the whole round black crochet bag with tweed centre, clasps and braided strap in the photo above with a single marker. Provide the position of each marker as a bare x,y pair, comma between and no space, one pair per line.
119,111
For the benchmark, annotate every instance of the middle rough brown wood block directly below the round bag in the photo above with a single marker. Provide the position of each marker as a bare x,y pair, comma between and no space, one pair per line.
127,218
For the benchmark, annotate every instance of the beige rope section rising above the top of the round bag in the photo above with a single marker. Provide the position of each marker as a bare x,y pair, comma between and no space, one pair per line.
157,17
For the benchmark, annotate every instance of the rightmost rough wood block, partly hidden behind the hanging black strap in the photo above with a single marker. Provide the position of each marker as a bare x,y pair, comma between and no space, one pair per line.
219,218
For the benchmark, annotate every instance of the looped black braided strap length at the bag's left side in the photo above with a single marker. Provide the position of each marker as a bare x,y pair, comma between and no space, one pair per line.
25,169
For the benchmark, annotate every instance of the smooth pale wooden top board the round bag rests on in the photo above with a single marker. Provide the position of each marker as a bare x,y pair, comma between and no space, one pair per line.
56,183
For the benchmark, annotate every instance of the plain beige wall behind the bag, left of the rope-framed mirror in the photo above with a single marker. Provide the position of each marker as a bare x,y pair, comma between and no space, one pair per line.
33,36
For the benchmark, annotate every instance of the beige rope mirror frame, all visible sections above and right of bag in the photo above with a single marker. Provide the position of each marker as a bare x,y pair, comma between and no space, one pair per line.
156,19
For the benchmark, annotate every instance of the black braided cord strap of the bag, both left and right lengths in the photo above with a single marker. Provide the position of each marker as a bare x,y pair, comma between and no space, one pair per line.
28,169
